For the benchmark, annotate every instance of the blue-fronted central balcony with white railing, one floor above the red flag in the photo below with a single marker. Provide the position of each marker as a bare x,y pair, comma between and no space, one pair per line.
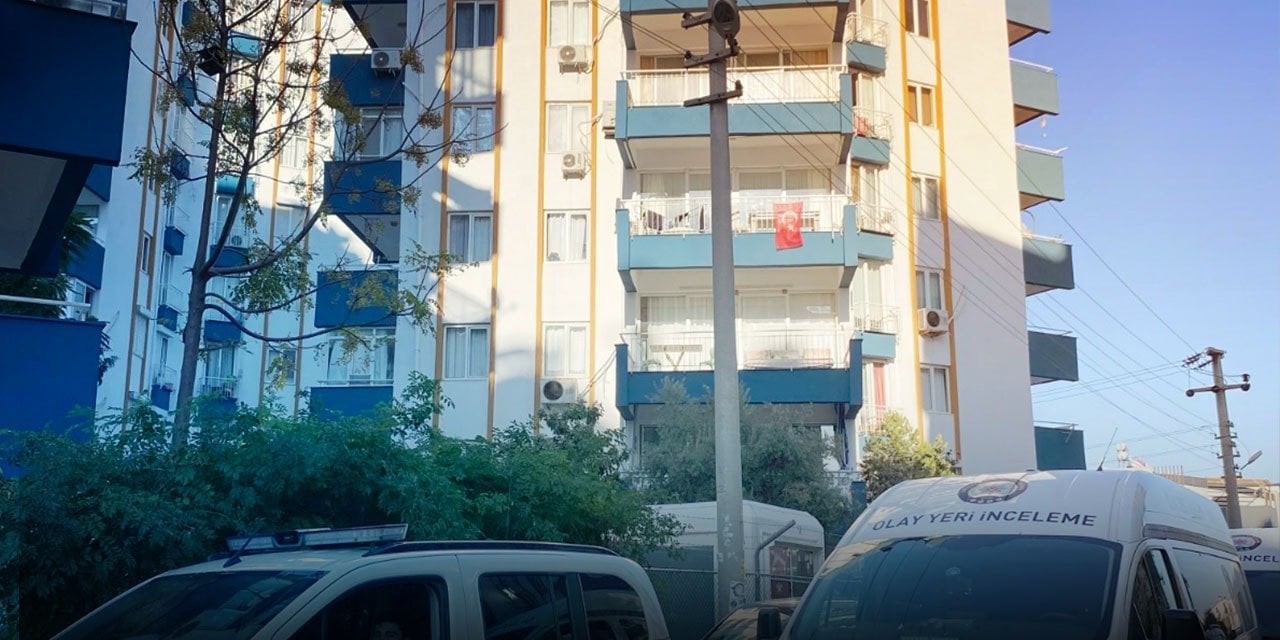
813,107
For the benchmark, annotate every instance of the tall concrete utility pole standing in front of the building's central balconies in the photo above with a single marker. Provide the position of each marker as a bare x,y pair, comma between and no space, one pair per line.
730,575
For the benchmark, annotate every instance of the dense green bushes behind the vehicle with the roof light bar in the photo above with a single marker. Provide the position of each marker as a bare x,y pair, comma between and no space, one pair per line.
92,518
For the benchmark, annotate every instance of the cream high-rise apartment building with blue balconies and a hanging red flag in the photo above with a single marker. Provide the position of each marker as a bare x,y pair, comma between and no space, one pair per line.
584,212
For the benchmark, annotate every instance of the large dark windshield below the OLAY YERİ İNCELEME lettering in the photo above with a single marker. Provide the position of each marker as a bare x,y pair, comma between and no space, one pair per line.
963,588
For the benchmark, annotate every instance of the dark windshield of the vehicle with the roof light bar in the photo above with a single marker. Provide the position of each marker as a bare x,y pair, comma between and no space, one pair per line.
232,605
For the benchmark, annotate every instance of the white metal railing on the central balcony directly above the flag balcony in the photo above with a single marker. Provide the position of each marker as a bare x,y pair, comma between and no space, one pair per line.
760,85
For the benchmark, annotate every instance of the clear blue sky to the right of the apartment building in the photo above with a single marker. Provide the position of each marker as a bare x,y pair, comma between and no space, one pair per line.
1173,163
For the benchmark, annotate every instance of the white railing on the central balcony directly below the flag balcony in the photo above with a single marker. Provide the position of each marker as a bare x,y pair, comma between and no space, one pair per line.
661,349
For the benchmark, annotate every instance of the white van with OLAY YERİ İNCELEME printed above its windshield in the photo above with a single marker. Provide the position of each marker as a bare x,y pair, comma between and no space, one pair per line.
1043,555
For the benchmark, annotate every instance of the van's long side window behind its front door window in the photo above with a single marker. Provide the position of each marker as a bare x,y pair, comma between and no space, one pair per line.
1217,591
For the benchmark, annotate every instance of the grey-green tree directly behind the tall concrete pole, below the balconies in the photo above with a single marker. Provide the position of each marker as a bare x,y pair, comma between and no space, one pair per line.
783,463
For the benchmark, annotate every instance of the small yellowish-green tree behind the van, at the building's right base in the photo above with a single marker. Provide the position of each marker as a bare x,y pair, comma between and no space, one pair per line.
895,452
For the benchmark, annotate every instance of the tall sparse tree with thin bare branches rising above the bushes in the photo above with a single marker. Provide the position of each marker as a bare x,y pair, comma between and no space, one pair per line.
254,75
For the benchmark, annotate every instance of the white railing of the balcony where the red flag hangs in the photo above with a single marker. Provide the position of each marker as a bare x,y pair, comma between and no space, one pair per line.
752,213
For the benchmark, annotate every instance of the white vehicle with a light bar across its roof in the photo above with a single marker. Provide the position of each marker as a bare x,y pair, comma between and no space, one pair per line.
354,584
